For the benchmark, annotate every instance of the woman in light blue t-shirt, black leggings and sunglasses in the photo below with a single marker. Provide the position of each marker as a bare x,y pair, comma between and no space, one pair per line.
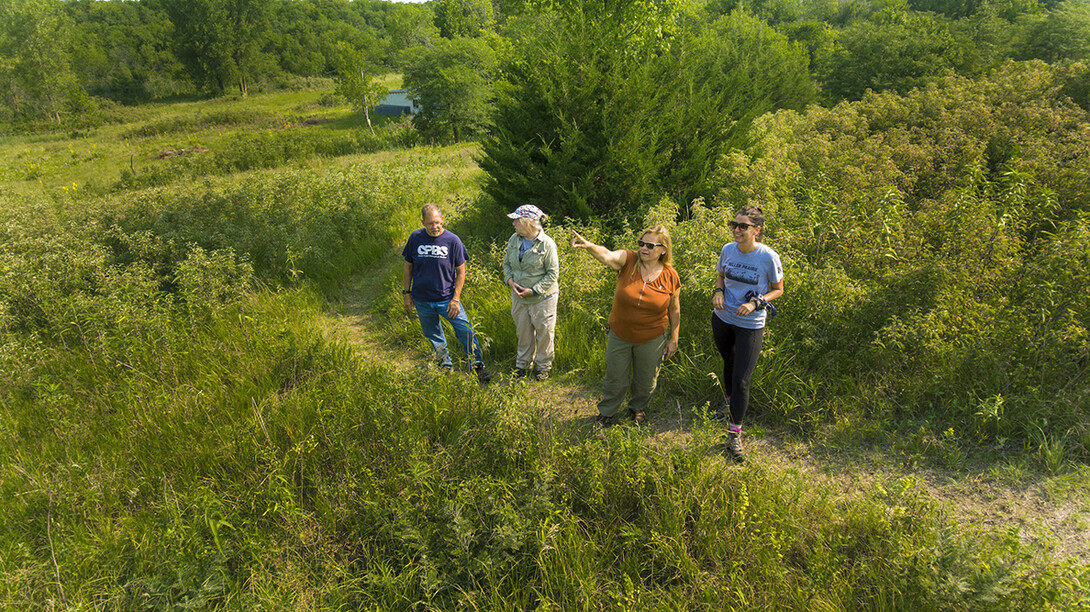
750,277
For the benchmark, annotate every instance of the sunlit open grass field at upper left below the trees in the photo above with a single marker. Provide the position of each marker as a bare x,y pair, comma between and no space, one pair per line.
162,143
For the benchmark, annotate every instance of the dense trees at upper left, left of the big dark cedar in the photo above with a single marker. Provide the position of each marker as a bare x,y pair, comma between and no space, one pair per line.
54,53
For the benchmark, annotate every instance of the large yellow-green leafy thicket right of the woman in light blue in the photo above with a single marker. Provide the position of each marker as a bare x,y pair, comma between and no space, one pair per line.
919,232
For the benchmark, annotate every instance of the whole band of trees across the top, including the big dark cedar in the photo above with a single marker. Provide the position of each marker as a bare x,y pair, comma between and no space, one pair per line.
584,106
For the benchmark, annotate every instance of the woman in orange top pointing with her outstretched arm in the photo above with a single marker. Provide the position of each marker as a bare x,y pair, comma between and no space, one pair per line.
644,323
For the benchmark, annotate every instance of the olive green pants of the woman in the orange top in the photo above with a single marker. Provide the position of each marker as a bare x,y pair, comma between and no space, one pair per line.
632,368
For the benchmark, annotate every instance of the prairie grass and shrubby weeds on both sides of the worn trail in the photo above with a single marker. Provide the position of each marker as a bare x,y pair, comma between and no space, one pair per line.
180,433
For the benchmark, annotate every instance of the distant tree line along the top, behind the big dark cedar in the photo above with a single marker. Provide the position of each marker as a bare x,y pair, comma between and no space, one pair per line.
132,52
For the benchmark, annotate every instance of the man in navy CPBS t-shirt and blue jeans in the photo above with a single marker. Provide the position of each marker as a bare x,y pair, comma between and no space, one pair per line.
433,280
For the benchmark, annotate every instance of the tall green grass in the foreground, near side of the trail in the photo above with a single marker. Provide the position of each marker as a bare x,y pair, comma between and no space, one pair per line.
265,466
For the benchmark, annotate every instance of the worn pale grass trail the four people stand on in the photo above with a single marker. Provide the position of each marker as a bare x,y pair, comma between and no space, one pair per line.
1052,513
